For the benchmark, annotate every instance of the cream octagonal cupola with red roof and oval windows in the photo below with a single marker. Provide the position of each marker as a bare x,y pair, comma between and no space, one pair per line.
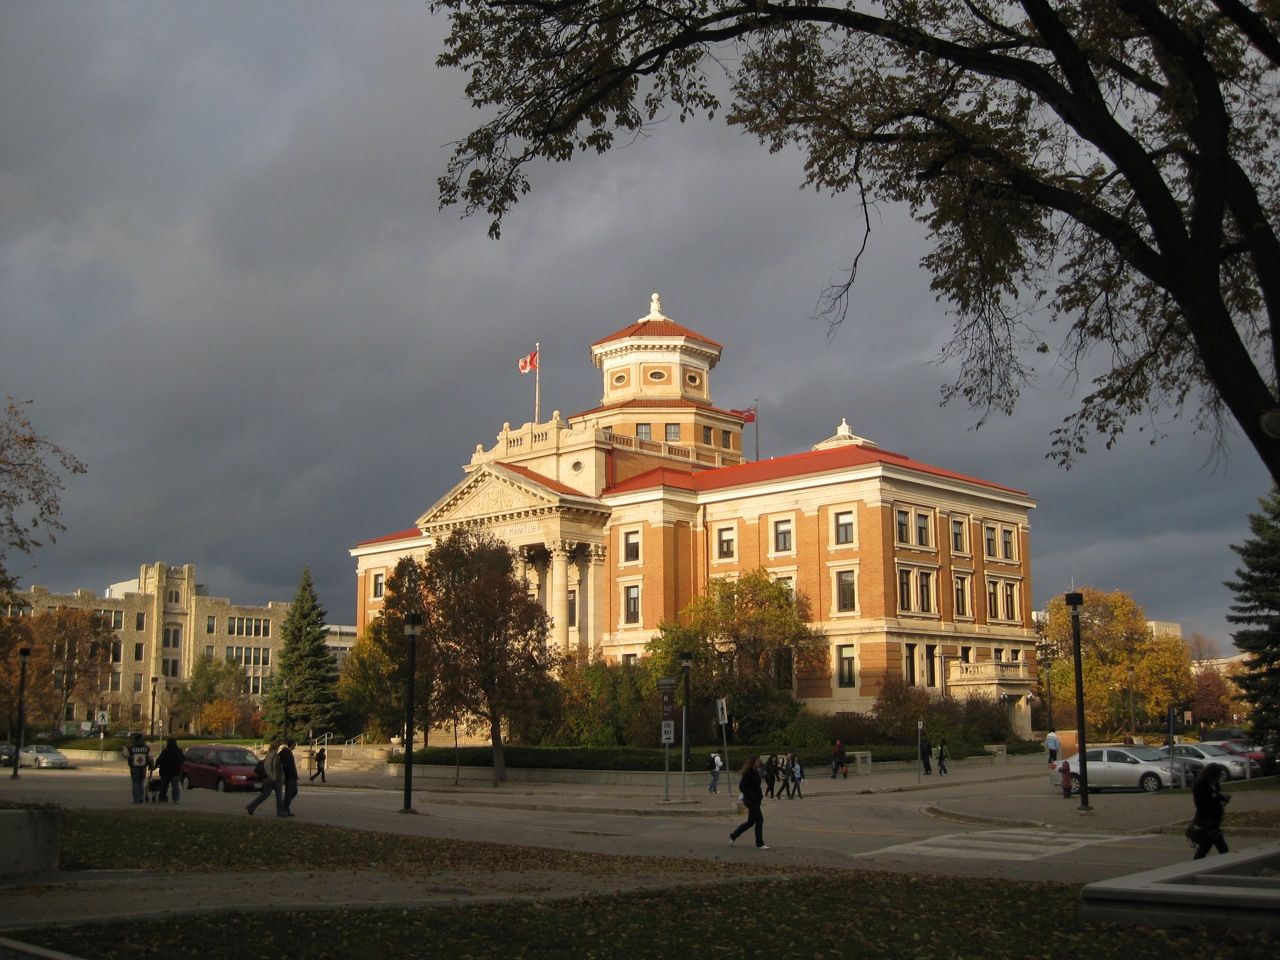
656,359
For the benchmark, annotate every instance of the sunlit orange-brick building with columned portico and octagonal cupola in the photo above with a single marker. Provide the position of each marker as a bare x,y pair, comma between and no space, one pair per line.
627,511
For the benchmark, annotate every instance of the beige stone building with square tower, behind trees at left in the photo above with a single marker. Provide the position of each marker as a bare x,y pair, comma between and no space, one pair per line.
164,623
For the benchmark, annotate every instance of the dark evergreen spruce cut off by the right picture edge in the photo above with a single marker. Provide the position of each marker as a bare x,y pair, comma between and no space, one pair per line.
1258,607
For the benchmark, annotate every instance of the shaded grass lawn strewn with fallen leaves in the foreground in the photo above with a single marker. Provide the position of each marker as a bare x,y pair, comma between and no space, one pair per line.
694,909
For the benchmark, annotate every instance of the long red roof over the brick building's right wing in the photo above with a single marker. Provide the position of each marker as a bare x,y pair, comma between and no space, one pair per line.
794,465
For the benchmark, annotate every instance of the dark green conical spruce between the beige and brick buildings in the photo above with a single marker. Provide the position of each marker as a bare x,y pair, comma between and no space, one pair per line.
308,668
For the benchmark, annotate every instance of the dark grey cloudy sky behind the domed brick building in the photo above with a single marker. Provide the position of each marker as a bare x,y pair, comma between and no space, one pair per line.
226,286
